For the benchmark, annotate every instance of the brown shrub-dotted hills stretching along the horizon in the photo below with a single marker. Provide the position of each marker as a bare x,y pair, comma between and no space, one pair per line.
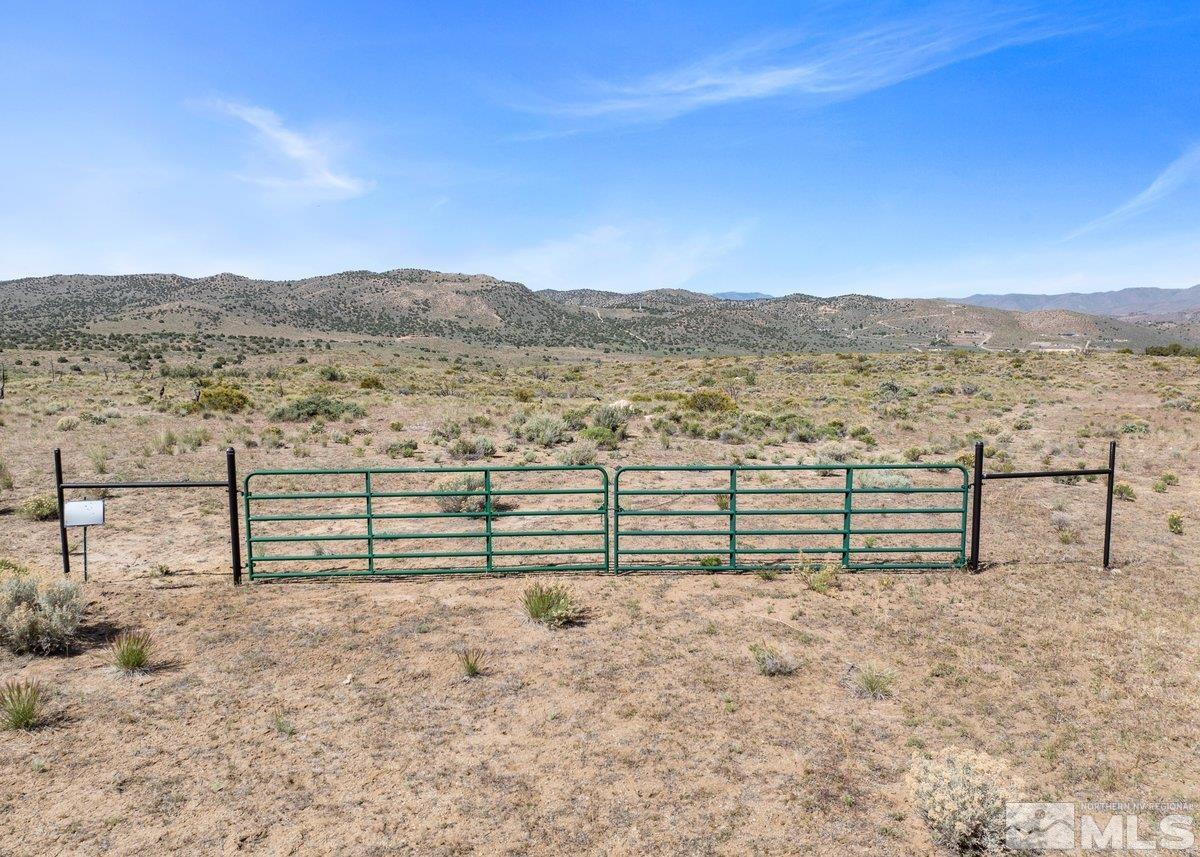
413,305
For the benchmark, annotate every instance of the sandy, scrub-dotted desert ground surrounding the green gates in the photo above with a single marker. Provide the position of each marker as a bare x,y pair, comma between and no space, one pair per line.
777,712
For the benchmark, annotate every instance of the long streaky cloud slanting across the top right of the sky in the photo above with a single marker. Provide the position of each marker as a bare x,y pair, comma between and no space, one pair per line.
821,64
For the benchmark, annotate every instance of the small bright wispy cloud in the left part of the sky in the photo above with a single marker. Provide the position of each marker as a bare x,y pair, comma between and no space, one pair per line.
307,157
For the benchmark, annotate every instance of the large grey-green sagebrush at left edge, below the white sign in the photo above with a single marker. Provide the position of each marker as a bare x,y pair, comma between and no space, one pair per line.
39,618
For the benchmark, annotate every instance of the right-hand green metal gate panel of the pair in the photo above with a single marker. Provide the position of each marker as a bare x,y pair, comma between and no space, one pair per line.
758,518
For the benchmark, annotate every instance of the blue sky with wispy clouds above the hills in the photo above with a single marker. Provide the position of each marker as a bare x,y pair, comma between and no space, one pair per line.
889,148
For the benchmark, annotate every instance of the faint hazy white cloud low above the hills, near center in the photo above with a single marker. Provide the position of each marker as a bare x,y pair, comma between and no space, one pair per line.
617,259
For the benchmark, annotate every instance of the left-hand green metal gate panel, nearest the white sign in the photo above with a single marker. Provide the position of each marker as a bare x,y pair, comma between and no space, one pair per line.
471,520
